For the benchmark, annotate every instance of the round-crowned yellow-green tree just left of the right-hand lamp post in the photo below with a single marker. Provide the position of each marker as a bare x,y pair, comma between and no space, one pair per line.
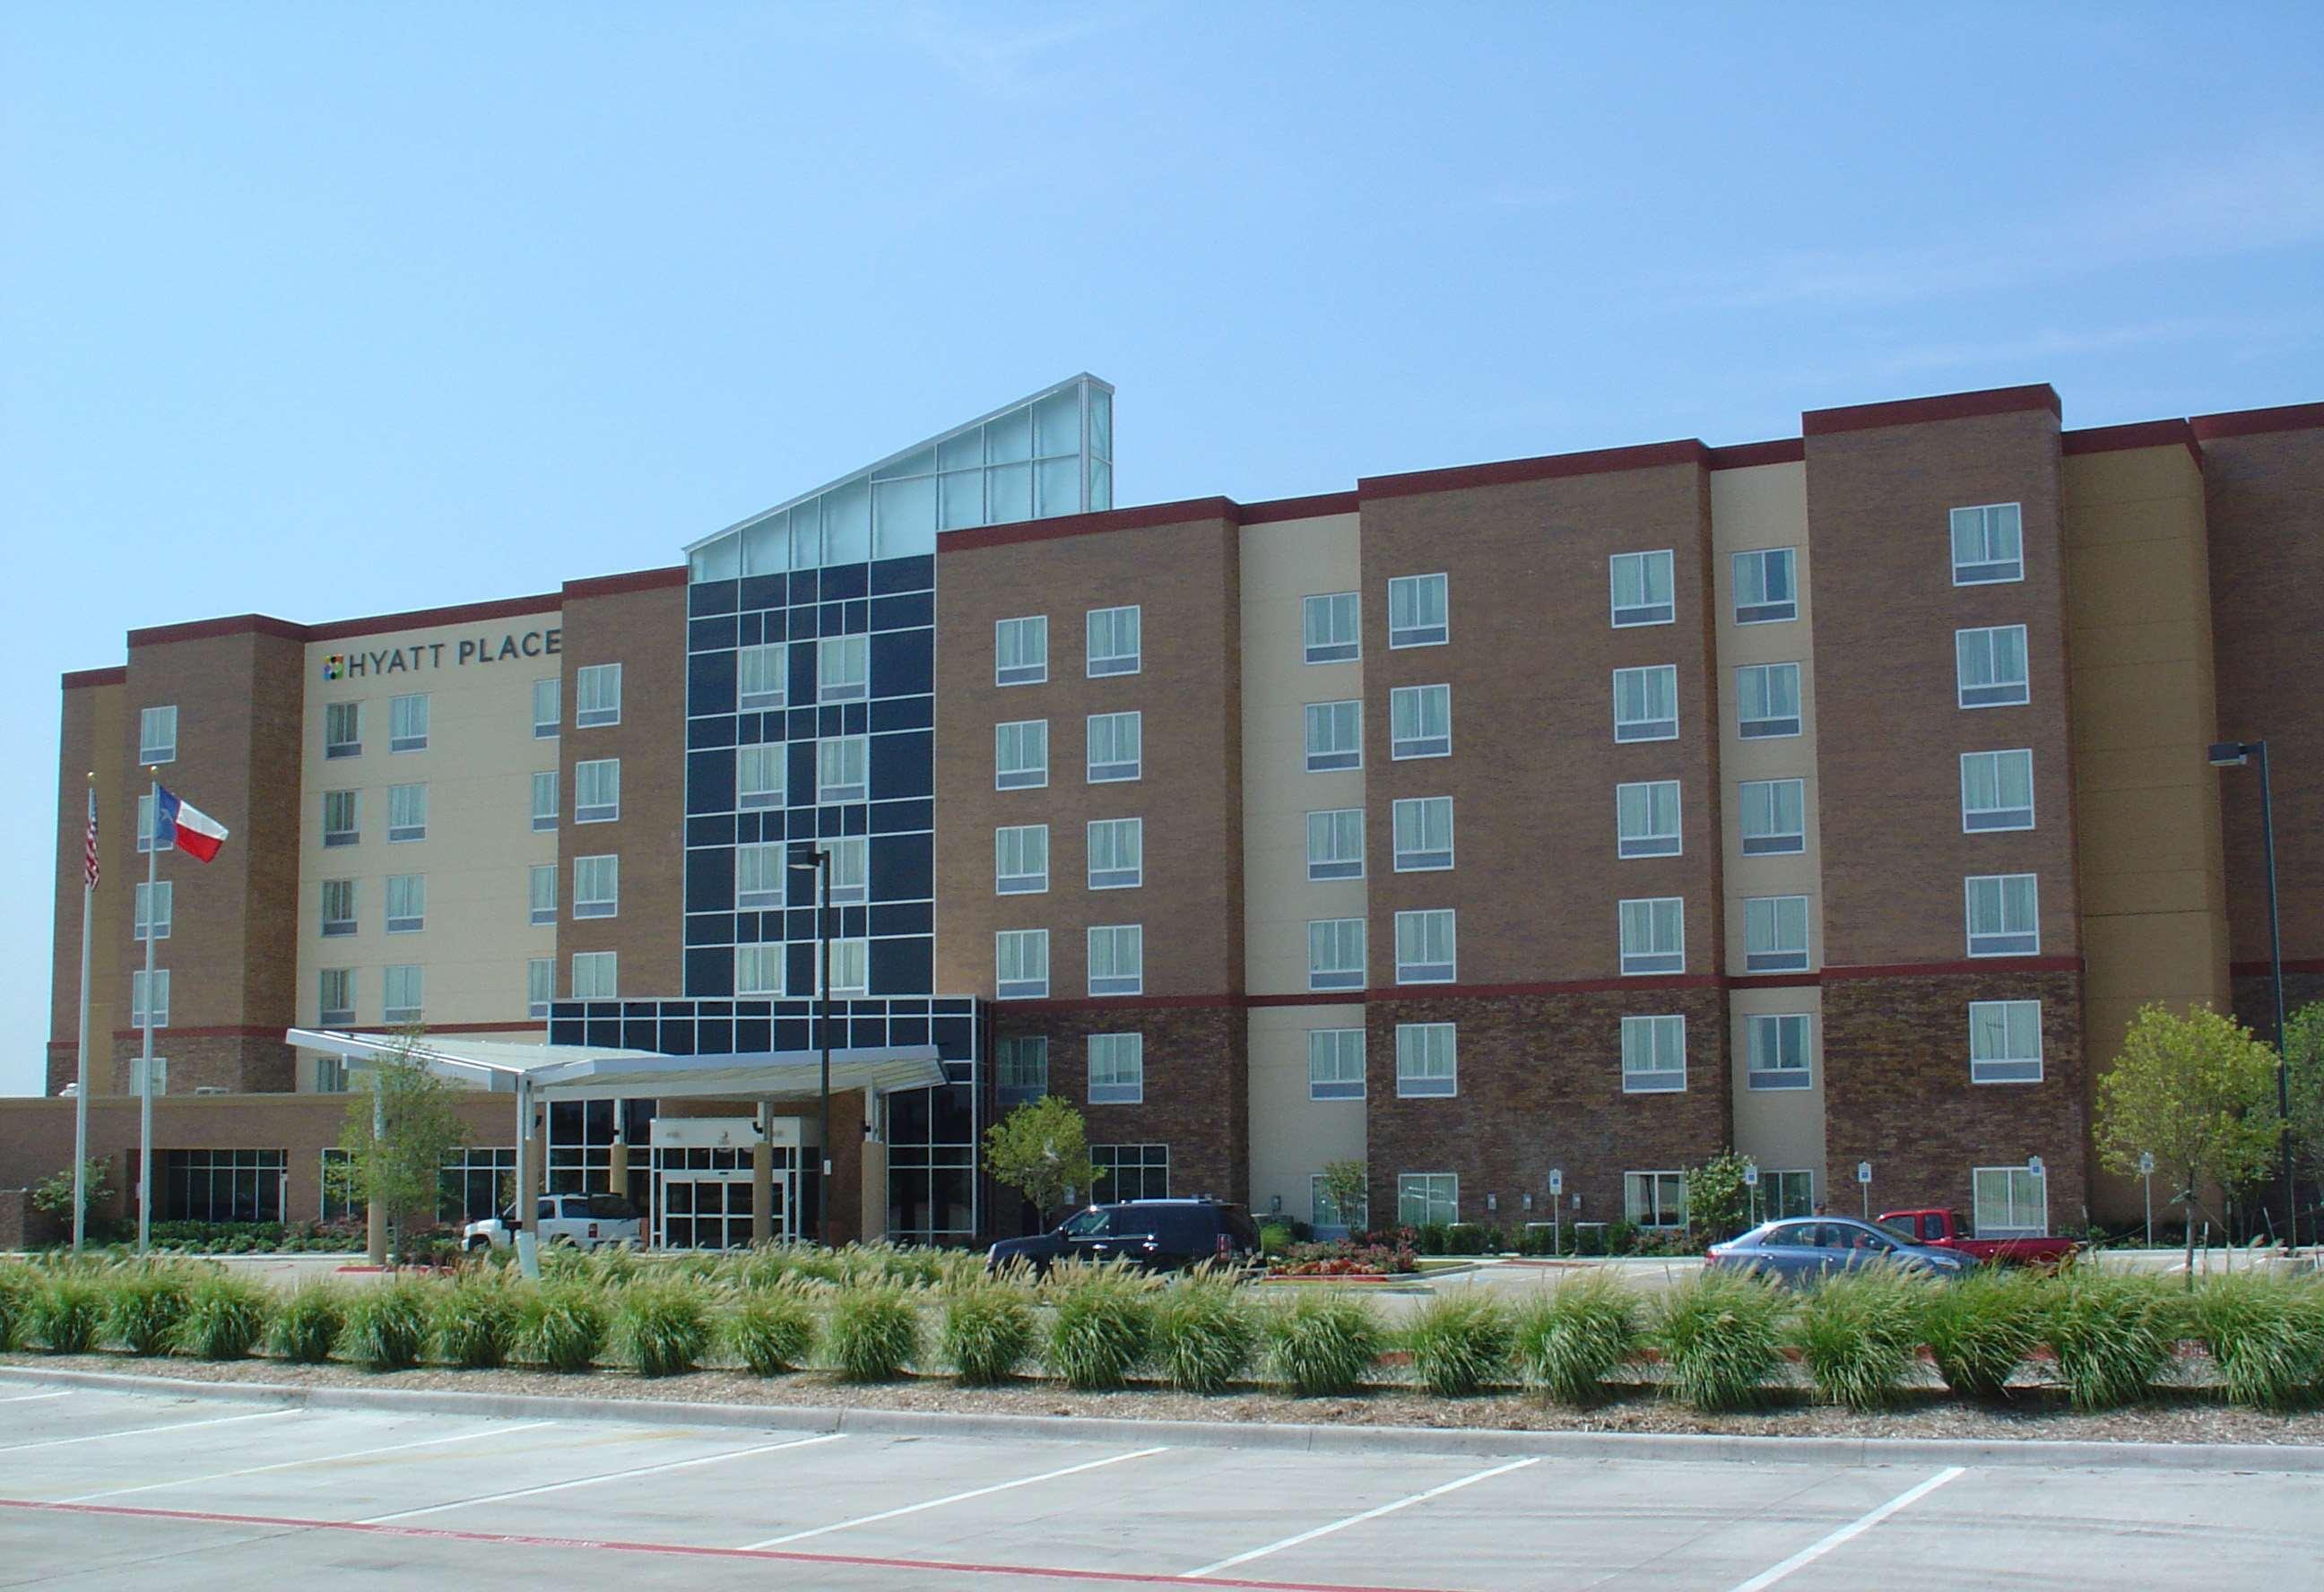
2195,1091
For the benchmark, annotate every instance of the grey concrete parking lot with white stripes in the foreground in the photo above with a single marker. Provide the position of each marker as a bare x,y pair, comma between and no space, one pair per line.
106,1489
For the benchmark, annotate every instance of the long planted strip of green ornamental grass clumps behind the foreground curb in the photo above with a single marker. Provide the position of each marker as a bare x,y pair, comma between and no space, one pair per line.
842,1324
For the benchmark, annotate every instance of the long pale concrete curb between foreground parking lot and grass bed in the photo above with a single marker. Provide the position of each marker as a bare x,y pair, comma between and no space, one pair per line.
1317,1440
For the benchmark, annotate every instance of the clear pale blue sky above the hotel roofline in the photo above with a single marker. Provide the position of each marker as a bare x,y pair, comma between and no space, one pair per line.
343,310
